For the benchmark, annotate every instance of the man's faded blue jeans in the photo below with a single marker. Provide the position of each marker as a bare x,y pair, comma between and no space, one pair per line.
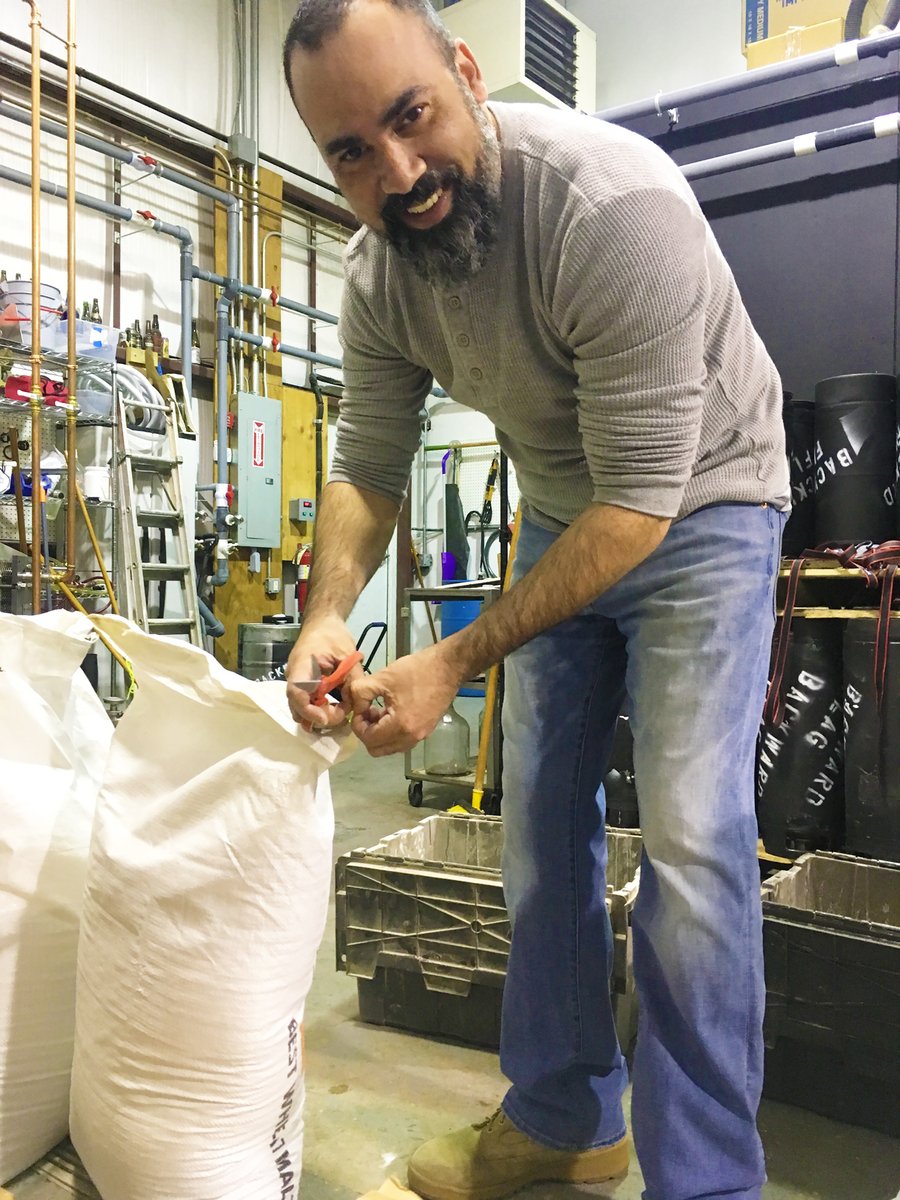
686,637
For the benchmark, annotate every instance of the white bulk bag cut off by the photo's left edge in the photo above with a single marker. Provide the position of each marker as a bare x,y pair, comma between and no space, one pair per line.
55,737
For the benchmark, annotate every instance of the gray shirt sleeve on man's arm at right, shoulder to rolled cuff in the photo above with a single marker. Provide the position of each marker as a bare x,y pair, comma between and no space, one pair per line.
632,303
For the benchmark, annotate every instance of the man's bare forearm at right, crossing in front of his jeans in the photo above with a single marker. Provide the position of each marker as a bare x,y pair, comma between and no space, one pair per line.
593,554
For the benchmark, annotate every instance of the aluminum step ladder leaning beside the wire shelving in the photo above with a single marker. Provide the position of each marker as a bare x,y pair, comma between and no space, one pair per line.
160,586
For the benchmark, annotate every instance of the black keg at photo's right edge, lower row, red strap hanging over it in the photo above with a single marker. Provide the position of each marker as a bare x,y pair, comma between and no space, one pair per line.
873,743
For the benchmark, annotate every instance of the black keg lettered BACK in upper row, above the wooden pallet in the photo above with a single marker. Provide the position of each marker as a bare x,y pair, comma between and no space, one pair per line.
856,459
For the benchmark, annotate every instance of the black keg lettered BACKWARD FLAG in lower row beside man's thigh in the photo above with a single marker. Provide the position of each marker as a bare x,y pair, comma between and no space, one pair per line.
800,764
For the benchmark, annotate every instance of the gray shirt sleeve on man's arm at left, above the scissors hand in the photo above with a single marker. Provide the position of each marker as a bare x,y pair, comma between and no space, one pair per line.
380,425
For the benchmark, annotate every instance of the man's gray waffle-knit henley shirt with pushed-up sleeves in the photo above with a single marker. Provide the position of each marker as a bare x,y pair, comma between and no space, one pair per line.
605,339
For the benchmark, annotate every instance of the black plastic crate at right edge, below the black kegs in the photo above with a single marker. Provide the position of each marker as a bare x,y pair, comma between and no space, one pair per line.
832,941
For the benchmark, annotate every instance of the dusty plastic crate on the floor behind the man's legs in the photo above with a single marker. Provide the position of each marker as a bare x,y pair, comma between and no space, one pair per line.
422,923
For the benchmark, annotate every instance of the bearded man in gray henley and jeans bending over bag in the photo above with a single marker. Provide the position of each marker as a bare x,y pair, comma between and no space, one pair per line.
557,274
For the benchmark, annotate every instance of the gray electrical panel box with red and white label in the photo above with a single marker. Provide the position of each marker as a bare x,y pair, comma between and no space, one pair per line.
259,471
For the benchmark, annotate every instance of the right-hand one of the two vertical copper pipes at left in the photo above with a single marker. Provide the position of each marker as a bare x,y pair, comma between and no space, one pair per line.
73,370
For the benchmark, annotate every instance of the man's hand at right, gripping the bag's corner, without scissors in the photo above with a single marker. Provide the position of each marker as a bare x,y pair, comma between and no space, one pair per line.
416,693
